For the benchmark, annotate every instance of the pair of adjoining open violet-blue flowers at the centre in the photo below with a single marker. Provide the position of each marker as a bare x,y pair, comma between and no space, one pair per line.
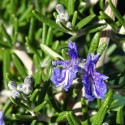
93,81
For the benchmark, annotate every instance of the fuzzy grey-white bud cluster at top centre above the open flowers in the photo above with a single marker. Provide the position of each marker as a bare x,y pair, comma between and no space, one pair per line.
62,16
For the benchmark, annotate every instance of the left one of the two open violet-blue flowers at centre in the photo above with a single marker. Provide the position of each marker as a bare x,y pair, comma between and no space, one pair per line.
63,77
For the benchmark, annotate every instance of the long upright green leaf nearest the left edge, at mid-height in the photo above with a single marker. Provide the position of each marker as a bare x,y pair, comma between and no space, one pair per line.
6,66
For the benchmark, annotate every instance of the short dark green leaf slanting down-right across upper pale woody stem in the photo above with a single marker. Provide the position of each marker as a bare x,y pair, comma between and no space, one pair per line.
109,21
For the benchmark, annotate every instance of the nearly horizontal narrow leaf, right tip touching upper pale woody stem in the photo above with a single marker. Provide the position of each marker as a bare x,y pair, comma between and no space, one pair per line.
94,28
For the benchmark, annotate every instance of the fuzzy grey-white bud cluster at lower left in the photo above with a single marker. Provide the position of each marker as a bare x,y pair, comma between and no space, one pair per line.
25,88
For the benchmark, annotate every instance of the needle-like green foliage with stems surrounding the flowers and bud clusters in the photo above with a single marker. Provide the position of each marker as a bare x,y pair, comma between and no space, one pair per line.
30,28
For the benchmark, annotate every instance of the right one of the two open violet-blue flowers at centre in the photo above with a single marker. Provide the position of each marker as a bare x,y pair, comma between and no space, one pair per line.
93,81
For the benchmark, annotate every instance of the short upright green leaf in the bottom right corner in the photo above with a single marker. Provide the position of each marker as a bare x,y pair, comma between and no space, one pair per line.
120,116
